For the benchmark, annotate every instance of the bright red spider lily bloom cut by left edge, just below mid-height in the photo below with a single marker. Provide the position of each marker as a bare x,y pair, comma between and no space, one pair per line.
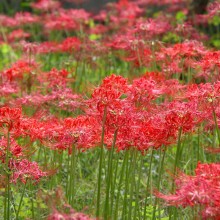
10,116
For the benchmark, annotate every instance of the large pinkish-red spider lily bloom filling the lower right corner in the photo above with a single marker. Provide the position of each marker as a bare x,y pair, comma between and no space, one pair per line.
202,189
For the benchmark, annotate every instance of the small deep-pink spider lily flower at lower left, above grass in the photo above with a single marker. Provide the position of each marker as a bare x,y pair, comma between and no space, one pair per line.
24,170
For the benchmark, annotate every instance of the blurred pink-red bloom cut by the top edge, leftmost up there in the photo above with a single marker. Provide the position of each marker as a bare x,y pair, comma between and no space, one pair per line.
46,5
